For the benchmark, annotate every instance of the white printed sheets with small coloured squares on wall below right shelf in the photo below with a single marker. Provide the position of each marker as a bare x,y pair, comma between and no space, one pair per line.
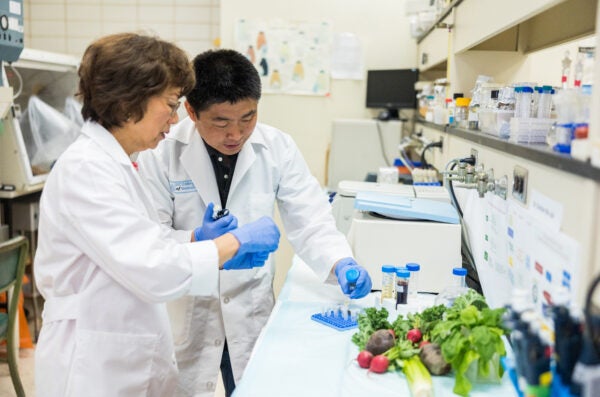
514,249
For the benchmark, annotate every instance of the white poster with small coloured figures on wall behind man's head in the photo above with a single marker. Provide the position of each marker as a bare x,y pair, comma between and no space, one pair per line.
291,57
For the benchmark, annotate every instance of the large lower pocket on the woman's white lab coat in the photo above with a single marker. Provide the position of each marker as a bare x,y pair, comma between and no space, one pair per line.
112,364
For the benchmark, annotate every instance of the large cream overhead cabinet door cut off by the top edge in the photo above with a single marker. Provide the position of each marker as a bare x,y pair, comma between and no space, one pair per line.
478,20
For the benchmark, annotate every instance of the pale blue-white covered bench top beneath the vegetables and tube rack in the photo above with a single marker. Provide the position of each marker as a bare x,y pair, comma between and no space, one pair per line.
296,356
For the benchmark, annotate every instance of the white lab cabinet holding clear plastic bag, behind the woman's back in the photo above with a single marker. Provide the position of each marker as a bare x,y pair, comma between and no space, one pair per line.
31,142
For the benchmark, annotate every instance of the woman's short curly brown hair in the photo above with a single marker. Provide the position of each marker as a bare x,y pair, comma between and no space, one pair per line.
119,73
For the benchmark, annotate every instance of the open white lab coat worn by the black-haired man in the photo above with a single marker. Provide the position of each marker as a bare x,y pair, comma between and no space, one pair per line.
269,168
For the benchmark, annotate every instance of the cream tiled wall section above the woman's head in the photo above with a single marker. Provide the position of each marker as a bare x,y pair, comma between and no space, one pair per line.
68,26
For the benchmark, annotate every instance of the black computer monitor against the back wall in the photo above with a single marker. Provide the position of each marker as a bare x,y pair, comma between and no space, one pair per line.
391,90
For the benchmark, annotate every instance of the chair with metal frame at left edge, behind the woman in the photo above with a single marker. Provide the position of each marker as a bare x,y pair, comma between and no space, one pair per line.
12,267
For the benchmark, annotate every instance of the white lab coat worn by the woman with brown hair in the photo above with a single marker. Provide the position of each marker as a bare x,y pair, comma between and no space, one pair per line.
105,265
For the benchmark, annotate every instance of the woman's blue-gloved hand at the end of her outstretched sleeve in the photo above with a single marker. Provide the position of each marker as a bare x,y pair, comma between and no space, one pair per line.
257,240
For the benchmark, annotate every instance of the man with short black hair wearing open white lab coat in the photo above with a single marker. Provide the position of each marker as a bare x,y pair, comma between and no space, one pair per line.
219,154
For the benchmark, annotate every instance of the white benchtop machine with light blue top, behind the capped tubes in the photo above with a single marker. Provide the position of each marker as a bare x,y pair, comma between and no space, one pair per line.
397,224
